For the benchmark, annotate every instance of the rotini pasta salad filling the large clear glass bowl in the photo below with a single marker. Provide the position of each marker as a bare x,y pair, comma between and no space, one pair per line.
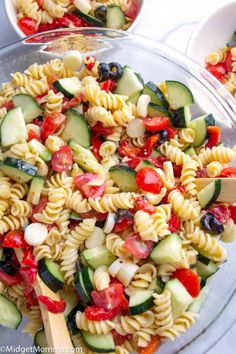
98,187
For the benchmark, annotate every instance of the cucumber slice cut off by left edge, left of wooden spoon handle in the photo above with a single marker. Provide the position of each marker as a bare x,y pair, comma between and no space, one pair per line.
10,316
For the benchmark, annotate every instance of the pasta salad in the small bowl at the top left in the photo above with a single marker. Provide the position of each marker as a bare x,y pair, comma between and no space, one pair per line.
36,16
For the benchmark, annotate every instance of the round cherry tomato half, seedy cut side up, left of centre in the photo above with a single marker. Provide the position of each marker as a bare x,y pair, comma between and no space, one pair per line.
62,160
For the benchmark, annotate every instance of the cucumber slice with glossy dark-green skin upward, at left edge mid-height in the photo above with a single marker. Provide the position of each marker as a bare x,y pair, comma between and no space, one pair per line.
18,170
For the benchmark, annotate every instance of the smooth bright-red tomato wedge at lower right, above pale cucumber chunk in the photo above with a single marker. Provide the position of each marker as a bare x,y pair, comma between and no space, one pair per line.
189,279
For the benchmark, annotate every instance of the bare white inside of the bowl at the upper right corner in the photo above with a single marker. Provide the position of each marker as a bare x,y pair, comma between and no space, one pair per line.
212,33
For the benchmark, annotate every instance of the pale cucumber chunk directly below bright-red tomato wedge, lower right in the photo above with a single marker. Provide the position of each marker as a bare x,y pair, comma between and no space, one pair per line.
180,298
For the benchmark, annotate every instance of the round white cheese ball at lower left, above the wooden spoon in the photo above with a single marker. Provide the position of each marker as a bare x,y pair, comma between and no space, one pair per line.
35,234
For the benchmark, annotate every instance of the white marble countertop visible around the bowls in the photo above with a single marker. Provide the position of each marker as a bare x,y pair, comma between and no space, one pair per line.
171,22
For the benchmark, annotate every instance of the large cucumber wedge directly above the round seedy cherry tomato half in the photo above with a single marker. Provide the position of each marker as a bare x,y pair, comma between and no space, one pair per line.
76,128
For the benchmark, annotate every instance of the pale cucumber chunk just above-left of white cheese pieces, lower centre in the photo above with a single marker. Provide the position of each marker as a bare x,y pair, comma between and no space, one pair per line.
97,256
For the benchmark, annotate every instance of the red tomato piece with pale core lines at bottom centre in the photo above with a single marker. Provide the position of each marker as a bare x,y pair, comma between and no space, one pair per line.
108,298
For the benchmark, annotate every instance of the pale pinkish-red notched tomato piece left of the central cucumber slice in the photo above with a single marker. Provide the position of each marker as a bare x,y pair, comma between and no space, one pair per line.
89,191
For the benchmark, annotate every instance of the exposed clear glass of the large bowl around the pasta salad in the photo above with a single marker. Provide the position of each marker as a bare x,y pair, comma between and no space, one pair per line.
157,63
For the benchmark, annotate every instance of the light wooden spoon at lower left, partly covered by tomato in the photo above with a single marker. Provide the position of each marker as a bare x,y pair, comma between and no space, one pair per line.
56,331
